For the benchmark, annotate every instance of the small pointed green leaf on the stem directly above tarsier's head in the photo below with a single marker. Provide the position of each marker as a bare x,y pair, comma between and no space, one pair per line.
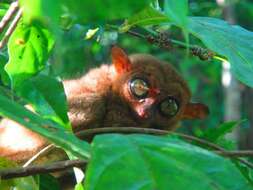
148,16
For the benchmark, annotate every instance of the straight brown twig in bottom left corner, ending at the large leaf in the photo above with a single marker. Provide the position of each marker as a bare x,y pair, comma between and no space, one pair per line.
32,170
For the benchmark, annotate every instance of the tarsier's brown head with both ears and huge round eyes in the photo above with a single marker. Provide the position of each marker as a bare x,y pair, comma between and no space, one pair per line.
154,91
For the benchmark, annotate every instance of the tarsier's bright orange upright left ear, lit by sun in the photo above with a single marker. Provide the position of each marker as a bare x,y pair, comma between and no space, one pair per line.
120,60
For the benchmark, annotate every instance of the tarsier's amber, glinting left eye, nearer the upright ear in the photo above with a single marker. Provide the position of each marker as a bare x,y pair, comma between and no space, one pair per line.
139,87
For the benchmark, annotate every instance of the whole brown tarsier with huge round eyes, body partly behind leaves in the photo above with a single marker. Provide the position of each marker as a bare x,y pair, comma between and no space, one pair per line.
134,91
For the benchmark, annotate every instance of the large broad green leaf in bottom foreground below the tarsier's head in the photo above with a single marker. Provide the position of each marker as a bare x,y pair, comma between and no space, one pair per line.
147,162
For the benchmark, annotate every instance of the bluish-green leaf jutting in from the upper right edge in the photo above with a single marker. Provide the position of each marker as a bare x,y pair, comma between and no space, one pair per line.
233,42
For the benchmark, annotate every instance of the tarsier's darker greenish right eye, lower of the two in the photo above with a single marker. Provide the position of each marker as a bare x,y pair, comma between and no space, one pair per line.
169,107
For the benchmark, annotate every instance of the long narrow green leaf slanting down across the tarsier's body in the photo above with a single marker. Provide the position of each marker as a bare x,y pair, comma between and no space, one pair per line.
54,132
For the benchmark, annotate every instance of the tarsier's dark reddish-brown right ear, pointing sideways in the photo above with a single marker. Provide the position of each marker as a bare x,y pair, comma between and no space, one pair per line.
195,111
